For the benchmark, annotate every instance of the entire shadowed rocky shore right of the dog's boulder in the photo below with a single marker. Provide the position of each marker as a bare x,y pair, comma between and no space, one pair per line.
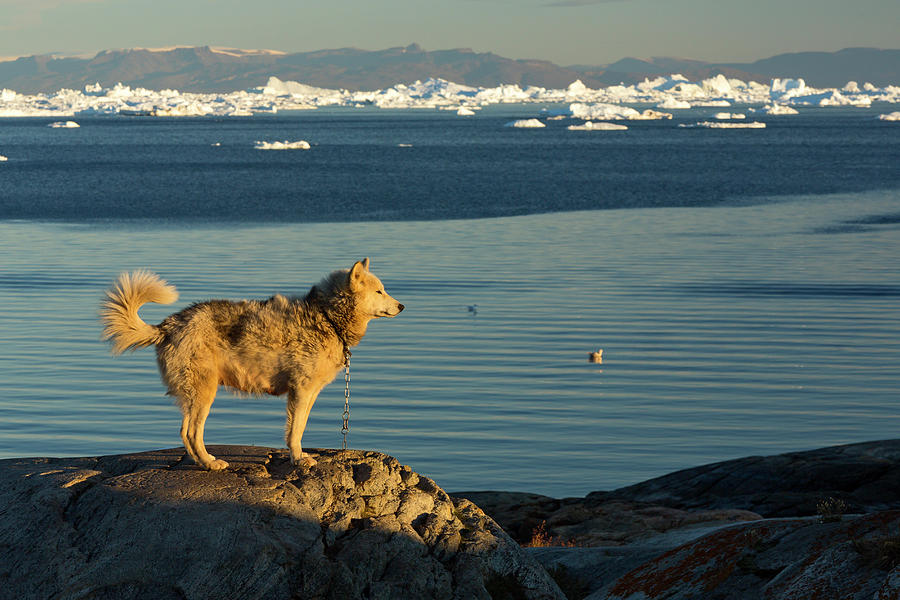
699,533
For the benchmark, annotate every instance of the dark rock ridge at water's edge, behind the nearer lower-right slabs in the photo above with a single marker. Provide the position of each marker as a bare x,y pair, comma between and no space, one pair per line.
862,478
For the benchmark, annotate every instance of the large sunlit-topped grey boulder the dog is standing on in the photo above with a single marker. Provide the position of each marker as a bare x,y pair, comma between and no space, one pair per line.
151,525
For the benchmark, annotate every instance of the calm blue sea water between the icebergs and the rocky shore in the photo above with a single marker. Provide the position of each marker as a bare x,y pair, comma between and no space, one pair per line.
754,311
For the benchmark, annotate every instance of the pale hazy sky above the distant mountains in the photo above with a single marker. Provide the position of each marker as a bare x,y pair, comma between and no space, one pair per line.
563,31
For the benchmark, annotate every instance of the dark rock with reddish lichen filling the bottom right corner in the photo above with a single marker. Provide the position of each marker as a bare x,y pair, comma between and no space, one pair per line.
777,559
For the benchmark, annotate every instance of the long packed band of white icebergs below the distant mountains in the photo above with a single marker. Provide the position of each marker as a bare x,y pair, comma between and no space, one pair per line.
674,91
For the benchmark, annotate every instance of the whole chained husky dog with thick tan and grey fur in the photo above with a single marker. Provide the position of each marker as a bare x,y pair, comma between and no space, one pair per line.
275,346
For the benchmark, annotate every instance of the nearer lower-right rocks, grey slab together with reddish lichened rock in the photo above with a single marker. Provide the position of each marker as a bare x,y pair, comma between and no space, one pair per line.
857,558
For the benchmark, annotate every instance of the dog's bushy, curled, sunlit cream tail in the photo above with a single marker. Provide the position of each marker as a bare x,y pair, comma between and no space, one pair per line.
118,313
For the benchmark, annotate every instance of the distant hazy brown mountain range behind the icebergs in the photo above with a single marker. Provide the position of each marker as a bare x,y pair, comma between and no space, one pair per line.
210,69
